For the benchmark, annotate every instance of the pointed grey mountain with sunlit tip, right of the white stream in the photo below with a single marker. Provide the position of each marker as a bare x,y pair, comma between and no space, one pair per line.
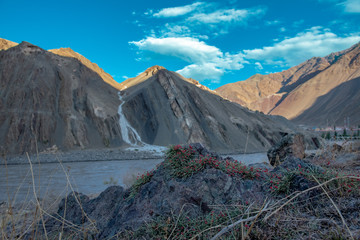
166,108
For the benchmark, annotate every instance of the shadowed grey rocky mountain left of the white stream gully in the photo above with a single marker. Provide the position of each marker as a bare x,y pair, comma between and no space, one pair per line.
47,99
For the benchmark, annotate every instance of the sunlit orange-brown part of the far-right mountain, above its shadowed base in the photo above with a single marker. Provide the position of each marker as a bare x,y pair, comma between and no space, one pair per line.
291,92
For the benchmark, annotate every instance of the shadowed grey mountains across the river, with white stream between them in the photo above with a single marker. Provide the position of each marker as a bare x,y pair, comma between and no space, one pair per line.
60,98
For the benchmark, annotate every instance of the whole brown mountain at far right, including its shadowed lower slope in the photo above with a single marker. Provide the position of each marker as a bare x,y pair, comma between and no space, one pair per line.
293,92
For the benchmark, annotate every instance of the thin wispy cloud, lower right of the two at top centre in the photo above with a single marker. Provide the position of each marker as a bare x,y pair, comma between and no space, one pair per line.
225,16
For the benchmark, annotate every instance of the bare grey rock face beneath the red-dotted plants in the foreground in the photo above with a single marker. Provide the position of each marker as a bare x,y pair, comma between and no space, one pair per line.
114,210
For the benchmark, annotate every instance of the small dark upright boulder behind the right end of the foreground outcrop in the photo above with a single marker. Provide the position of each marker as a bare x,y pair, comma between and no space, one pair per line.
289,145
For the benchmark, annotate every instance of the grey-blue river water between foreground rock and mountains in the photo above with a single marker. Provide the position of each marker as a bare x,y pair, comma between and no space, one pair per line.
53,180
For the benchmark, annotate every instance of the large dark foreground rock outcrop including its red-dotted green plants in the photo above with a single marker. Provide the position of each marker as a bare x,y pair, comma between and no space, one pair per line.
185,193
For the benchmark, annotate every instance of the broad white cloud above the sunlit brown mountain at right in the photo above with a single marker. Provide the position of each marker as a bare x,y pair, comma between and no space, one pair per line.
316,41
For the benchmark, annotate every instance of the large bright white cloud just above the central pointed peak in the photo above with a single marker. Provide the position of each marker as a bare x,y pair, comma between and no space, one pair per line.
206,62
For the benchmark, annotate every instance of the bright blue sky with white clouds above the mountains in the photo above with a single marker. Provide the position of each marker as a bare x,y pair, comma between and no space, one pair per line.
214,42
